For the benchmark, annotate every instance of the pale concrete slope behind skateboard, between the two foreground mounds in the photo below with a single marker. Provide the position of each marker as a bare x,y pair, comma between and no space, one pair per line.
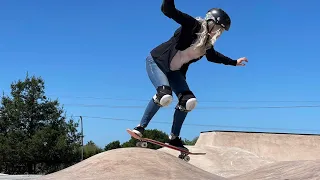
223,161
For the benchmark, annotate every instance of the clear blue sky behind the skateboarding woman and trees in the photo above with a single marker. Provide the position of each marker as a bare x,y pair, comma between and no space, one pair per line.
98,49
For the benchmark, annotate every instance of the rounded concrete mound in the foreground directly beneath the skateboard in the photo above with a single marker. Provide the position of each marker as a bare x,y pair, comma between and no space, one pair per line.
132,163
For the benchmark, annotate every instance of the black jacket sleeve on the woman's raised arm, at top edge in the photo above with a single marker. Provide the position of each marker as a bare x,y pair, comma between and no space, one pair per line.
168,8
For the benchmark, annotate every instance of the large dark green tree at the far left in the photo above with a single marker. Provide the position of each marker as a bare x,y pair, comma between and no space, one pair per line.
34,131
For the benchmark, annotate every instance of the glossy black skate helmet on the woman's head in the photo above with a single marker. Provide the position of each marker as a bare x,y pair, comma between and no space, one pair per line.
220,17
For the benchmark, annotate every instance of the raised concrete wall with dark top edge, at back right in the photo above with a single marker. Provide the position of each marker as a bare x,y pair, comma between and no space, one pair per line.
272,146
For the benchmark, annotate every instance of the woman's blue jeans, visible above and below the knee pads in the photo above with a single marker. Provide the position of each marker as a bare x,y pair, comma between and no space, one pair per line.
178,84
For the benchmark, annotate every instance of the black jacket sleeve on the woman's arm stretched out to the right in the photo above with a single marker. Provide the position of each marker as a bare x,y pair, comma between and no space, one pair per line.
214,56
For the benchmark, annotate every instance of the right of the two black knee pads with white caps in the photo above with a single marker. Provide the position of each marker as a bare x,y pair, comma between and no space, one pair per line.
187,101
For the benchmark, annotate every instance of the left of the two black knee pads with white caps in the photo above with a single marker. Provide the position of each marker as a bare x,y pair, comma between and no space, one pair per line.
163,97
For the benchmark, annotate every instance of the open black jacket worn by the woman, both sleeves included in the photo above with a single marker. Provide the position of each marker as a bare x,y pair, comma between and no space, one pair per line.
183,37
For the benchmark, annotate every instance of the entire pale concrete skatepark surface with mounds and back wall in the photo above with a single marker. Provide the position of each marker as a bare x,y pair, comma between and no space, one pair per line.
229,156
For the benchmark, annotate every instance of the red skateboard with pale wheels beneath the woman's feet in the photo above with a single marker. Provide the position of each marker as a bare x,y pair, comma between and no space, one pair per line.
143,142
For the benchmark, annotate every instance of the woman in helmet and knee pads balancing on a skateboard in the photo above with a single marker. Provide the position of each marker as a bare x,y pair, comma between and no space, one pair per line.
168,63
